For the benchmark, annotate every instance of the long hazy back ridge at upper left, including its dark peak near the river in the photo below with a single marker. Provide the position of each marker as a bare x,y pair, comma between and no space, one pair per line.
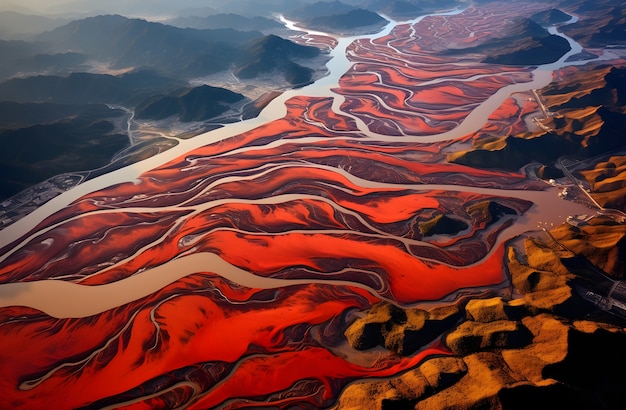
123,43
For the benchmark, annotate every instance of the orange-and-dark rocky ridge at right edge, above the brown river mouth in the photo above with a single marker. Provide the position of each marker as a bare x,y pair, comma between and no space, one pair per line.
586,112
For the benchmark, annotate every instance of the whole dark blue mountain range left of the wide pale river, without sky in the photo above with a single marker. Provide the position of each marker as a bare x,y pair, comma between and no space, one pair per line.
56,89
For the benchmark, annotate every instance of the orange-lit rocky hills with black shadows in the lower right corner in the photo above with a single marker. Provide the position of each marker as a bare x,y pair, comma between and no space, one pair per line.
540,341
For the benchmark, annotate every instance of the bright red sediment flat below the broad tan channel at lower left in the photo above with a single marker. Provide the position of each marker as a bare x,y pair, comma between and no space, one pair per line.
180,327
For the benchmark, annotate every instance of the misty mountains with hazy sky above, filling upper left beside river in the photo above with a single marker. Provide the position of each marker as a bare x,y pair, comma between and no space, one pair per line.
68,66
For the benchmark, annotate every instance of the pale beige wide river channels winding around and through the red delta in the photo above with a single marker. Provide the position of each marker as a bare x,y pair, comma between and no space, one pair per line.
50,295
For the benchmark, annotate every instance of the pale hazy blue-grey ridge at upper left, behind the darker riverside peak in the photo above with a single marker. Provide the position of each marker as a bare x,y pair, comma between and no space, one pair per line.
124,42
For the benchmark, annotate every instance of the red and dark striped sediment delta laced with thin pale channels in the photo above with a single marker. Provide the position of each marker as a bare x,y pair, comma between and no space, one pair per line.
226,276
